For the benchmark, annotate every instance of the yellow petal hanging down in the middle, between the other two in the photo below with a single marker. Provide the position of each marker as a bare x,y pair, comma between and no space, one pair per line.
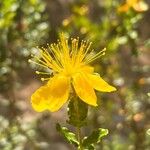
84,90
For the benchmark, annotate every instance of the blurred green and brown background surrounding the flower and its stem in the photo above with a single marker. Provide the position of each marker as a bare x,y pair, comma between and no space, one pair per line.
25,24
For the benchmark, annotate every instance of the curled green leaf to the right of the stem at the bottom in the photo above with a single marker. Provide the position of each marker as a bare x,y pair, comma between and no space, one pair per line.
95,137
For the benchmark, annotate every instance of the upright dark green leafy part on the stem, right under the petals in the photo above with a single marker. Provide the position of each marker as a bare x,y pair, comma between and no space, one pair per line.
77,112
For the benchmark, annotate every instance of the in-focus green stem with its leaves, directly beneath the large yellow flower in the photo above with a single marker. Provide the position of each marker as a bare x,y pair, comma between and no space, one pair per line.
77,115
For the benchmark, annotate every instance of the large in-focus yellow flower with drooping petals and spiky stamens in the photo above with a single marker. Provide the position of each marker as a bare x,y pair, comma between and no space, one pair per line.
71,70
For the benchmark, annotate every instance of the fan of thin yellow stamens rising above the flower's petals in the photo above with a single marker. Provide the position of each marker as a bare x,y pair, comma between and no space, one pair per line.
60,57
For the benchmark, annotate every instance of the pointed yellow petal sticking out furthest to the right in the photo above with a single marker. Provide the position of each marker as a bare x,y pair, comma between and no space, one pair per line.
99,84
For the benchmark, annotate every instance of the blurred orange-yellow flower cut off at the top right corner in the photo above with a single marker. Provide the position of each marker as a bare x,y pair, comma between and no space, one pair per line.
137,5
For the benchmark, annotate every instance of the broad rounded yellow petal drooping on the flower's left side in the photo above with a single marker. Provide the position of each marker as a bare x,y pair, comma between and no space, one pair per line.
51,96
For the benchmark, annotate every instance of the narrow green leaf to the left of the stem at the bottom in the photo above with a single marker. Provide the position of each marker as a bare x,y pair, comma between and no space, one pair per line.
68,135
